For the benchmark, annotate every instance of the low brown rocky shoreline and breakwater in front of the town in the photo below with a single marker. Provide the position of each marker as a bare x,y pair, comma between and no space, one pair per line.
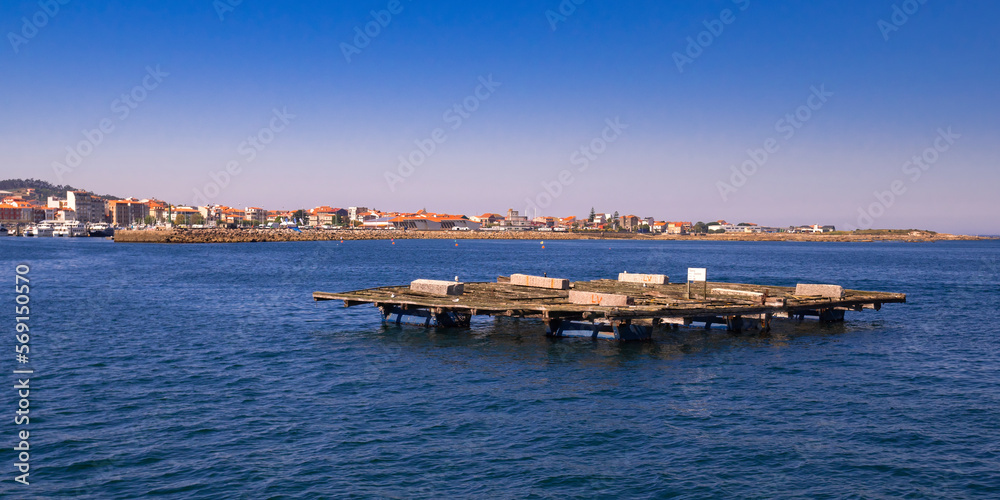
274,235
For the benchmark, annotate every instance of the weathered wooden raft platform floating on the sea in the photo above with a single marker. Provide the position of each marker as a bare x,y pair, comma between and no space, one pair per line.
738,306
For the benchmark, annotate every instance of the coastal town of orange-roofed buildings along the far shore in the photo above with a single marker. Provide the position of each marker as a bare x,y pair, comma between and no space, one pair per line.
23,211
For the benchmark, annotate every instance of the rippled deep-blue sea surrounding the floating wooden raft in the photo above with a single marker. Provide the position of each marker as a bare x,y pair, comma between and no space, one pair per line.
207,371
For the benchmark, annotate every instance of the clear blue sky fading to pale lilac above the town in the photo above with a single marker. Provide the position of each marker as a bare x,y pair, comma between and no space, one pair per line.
647,108
